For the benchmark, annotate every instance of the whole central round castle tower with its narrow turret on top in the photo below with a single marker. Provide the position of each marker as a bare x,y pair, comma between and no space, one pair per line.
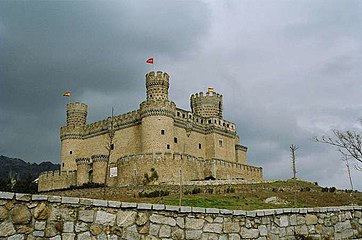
157,114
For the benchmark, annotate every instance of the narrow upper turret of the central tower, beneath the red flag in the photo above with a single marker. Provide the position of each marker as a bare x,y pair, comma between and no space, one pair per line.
157,86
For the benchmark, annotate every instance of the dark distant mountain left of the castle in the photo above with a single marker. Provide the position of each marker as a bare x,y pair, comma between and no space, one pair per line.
23,169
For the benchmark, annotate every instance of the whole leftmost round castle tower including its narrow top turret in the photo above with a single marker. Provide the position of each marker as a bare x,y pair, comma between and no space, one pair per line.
71,135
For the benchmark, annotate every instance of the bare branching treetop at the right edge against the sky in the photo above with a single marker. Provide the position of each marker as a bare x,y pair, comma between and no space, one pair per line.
348,143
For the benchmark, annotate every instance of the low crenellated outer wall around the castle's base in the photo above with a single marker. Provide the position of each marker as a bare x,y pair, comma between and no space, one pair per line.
132,169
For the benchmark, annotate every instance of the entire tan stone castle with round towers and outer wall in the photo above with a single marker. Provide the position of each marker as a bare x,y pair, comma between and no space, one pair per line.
157,143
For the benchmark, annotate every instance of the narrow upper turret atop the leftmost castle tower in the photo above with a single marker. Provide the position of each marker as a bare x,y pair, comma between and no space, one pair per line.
76,114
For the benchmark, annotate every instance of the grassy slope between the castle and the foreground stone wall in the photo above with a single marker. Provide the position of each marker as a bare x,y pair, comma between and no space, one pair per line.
252,196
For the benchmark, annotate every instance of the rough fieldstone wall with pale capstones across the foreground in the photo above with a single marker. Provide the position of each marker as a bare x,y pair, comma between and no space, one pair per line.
25,216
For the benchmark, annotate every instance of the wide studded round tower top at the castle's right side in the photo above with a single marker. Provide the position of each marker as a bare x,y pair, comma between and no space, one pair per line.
207,105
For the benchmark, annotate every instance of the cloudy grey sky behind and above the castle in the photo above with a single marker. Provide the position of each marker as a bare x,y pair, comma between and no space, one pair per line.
288,70
